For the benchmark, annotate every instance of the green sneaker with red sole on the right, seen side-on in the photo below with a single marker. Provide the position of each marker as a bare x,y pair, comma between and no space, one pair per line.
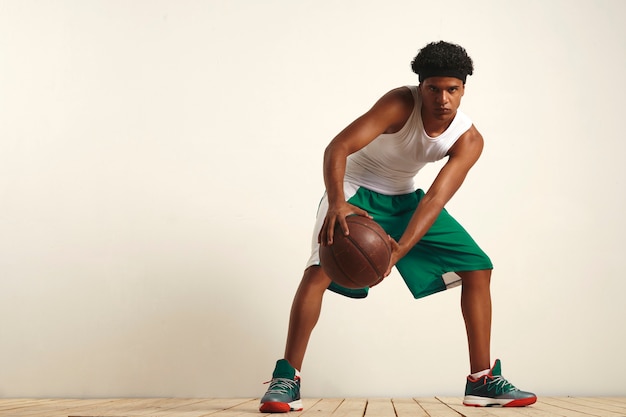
492,390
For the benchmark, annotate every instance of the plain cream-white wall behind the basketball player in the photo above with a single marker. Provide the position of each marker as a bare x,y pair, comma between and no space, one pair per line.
160,168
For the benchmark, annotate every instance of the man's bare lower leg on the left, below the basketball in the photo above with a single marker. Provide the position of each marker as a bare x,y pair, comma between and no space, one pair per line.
305,311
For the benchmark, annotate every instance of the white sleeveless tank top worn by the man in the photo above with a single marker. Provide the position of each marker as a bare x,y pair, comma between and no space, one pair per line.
390,162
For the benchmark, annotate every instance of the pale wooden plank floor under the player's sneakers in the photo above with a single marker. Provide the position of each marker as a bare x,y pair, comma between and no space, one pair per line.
378,407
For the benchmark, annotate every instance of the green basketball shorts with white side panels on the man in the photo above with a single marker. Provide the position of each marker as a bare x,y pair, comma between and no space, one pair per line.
445,248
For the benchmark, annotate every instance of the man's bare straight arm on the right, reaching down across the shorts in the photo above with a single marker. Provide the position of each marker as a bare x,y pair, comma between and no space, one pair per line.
462,156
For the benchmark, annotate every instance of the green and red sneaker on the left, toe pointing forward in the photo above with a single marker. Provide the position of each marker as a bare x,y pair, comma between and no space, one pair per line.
283,394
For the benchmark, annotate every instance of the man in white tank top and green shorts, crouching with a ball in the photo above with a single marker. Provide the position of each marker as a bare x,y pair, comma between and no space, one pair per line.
369,170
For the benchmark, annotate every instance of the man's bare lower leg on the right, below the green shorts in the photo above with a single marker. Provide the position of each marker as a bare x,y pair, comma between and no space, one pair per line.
476,307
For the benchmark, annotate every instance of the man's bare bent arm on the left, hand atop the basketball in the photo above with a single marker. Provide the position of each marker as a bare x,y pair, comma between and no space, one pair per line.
388,115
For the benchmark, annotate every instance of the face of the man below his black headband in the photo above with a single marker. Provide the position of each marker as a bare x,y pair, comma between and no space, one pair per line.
441,96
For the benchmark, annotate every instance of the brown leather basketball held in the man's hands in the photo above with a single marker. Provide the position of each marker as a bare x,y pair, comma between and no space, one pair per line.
359,259
